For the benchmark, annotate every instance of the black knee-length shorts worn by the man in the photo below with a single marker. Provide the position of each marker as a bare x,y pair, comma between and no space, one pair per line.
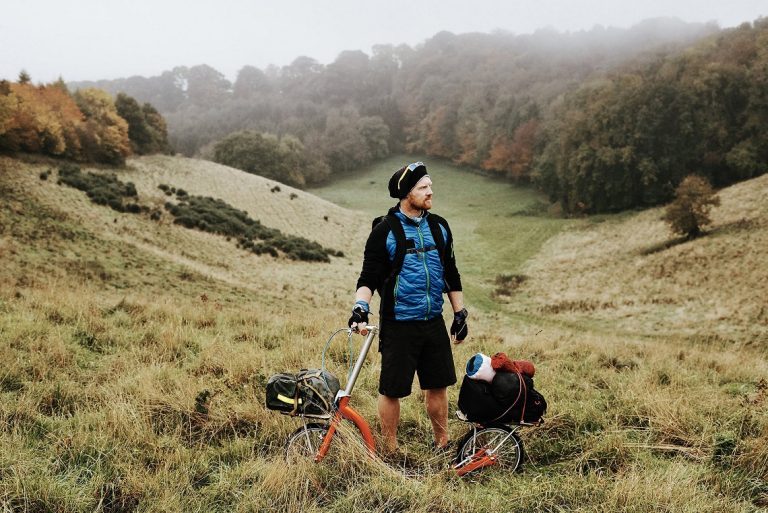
409,347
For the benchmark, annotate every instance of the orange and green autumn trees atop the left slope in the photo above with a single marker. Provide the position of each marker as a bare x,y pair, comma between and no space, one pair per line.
86,126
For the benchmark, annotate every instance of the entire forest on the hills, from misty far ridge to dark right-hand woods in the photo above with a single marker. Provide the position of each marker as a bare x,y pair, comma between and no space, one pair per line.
603,120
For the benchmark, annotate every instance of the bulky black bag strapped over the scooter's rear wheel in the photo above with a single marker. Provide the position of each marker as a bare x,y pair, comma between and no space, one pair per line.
509,398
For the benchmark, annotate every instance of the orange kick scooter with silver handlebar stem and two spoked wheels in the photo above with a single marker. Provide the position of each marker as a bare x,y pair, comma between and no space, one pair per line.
482,446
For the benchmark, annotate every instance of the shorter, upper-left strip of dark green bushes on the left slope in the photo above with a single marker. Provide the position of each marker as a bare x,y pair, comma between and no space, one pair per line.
101,189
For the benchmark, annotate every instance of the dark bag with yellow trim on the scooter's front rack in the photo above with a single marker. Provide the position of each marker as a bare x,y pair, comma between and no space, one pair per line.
311,392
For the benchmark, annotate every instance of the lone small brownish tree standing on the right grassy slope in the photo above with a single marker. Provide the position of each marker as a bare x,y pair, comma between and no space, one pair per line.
689,212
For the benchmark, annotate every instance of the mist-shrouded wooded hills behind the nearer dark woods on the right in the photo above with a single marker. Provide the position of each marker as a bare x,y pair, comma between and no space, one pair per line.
496,79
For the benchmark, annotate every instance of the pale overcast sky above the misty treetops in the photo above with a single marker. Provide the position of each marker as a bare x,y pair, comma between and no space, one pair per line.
95,39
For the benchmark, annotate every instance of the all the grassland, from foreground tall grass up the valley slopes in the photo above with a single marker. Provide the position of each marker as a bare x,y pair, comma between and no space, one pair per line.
113,325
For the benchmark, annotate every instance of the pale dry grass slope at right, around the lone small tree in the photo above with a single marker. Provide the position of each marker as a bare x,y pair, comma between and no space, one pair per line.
629,274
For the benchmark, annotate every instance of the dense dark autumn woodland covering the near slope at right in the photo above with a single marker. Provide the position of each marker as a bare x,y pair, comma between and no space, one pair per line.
629,138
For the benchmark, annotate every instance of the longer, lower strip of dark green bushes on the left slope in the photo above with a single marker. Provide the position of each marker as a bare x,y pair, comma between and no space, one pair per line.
216,216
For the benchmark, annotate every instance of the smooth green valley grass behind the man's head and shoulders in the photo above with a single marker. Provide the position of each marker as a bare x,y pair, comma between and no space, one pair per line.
497,226
